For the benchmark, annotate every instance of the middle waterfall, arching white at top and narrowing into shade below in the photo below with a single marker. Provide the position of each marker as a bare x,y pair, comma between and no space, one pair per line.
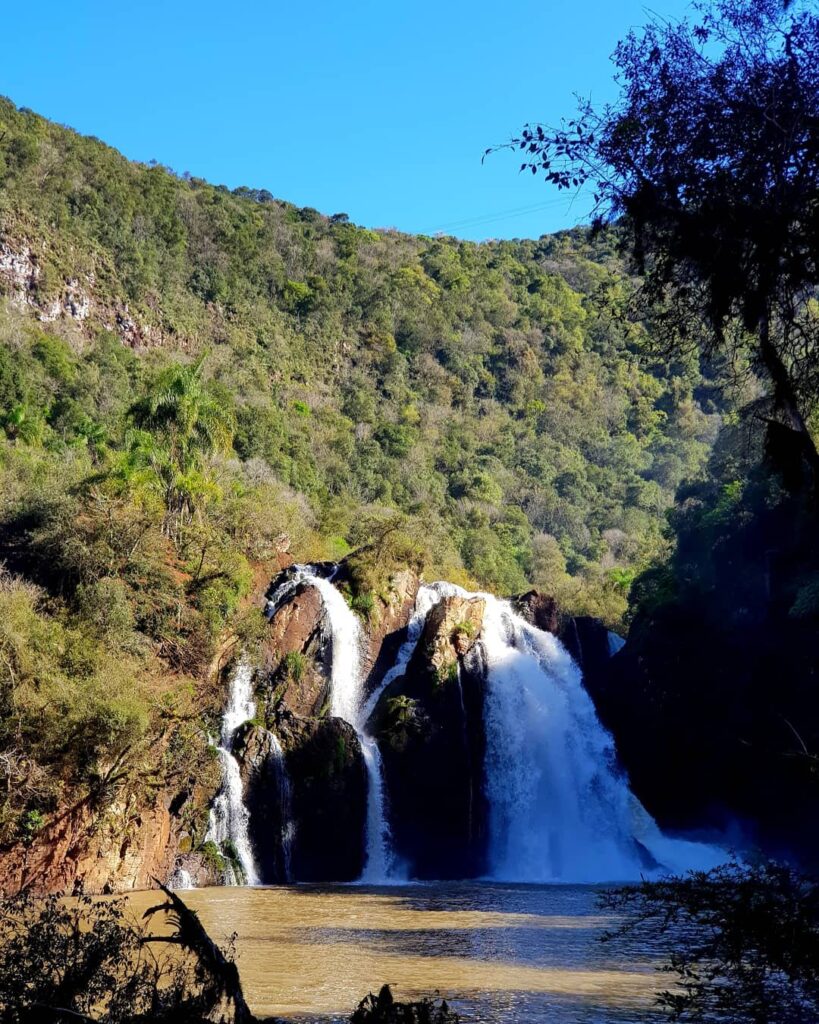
348,702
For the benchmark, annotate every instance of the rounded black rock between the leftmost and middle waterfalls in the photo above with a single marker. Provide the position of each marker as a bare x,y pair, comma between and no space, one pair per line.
329,798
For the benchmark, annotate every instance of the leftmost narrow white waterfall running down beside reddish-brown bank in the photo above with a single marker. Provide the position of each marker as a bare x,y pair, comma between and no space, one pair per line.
229,818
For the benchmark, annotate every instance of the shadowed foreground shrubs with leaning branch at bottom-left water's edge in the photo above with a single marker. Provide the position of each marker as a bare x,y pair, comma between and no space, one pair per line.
88,960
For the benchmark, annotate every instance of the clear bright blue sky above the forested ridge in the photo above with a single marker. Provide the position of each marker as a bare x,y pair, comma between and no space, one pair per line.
380,110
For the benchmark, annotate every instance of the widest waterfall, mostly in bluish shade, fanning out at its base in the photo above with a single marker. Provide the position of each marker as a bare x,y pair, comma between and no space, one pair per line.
561,808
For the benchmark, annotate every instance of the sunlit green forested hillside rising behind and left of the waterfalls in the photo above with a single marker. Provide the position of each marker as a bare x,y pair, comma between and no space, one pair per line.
194,380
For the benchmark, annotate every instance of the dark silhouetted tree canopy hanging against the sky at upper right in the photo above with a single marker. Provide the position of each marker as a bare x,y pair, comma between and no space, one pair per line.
711,157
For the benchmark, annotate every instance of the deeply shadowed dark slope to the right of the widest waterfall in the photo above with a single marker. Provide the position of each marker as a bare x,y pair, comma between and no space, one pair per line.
714,699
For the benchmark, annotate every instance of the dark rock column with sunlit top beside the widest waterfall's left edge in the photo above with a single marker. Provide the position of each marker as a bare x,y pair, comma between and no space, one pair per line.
430,729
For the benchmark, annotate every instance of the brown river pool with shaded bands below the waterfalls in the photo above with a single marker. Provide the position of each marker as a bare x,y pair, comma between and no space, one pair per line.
512,954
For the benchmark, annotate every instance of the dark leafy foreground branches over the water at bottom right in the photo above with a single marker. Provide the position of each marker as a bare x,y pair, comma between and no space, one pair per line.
743,944
